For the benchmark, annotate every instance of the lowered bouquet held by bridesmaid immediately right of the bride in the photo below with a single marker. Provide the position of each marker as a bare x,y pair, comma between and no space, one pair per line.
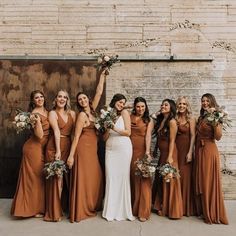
145,168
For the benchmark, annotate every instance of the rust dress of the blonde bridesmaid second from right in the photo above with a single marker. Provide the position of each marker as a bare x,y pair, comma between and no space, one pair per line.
183,143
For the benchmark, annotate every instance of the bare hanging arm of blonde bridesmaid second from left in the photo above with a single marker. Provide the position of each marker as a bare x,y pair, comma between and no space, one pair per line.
53,121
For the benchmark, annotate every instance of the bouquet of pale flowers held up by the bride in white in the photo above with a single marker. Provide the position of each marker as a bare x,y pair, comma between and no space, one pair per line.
106,119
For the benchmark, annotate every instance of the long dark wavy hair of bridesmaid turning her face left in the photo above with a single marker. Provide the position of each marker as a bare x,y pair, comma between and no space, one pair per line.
160,117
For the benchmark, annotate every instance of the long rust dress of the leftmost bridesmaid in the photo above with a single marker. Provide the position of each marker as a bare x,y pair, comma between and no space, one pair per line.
29,198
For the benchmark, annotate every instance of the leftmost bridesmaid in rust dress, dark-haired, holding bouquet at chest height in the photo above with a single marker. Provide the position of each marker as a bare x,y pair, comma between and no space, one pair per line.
29,197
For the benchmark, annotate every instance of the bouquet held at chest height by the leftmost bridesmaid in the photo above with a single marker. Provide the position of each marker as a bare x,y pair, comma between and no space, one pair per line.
23,120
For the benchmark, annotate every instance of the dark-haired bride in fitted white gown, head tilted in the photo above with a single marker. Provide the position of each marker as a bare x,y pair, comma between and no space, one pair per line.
117,202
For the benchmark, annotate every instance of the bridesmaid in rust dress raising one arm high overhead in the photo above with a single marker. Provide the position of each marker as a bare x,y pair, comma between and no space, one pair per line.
86,179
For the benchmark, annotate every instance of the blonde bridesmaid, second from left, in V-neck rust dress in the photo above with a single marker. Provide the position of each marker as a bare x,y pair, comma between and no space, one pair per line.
62,120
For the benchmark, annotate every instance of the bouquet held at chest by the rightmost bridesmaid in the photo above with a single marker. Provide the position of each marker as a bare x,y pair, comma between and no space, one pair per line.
218,116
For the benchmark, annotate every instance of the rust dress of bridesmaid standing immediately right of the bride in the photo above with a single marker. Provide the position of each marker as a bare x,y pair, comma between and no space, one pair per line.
141,188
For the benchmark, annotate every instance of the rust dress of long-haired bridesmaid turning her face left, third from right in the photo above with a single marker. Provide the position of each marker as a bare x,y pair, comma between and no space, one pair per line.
167,198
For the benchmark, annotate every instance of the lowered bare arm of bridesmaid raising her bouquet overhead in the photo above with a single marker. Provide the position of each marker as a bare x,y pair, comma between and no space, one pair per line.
80,122
